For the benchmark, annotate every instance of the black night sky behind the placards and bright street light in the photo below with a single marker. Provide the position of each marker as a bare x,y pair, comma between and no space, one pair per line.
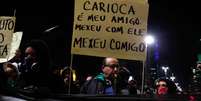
175,25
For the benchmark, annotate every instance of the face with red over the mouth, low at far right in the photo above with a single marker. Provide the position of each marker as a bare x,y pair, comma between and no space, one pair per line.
162,88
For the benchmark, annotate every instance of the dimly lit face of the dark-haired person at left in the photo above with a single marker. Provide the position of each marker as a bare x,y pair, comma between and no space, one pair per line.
30,54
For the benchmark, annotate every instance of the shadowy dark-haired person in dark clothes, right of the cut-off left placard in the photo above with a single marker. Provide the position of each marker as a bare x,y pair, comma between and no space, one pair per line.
35,68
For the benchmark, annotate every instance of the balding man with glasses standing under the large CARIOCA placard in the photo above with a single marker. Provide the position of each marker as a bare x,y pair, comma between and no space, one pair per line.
112,81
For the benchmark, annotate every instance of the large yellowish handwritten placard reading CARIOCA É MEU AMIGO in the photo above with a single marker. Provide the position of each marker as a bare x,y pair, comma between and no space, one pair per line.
110,28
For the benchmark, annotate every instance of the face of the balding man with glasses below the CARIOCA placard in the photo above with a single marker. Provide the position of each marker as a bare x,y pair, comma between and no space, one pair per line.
111,65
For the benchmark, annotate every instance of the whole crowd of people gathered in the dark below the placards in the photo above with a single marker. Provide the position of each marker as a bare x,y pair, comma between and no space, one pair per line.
30,71
